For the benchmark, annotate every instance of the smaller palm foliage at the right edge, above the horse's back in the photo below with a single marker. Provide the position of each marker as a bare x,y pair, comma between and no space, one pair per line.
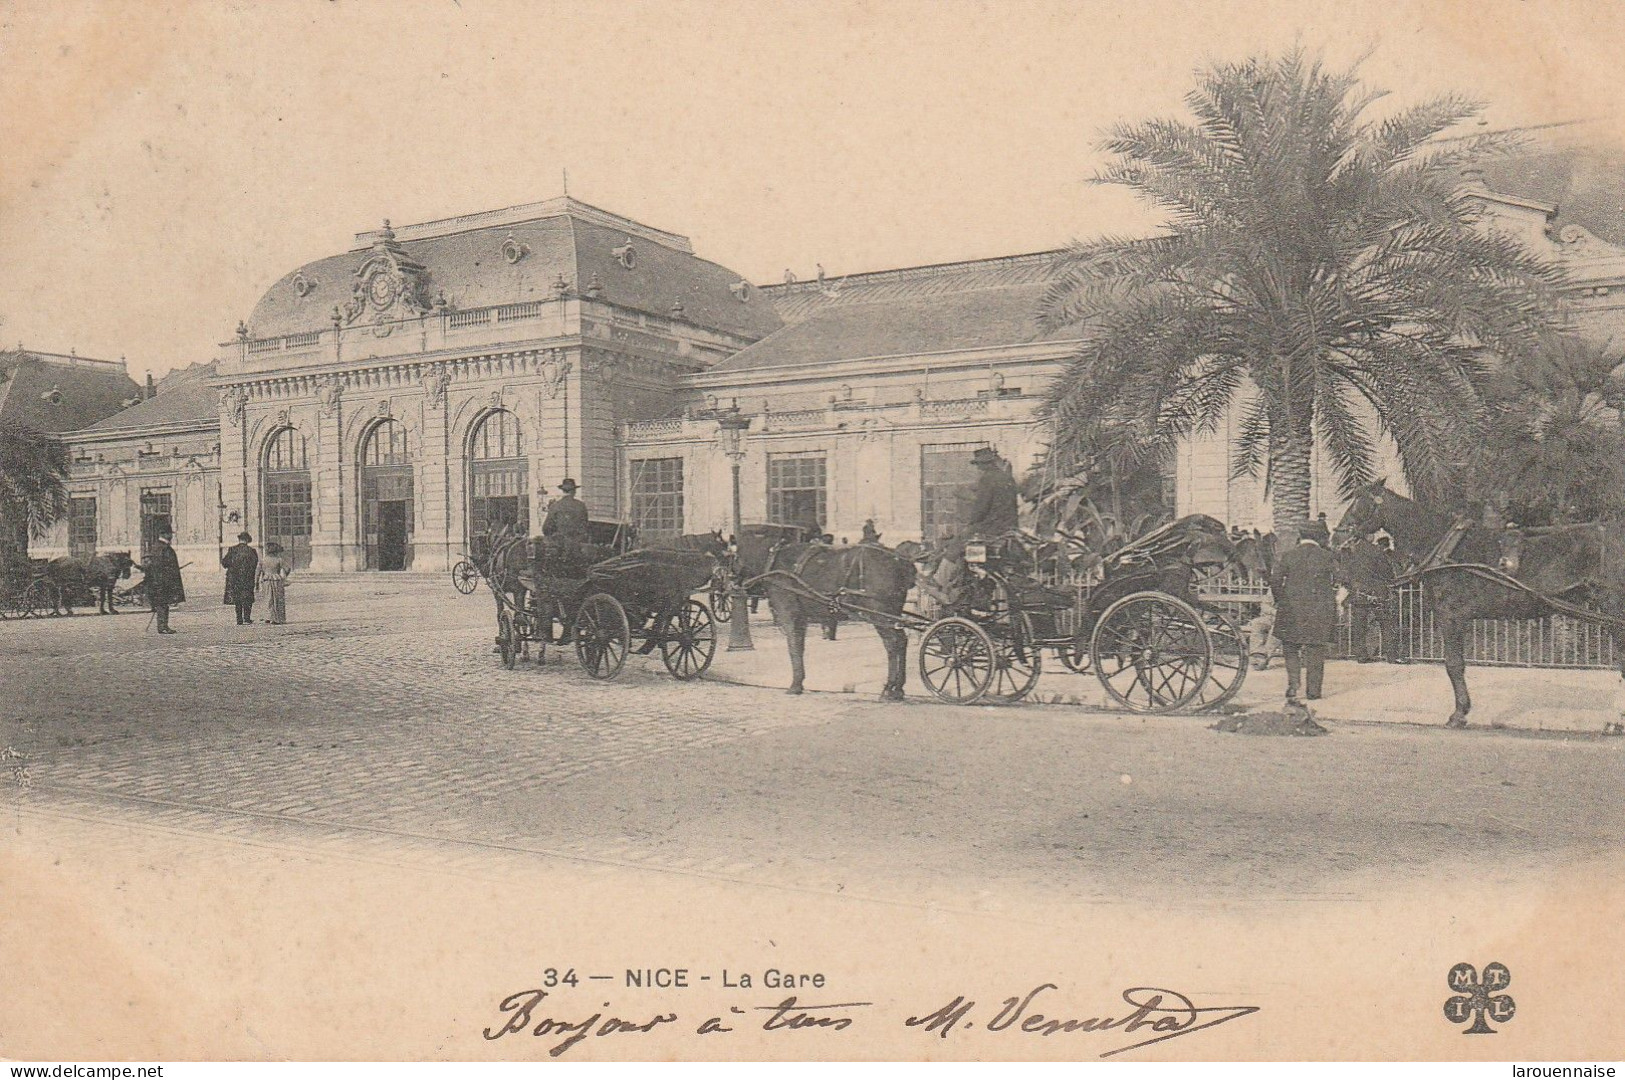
1554,451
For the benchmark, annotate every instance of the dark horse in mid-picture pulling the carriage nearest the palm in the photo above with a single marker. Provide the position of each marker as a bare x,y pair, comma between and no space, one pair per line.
799,581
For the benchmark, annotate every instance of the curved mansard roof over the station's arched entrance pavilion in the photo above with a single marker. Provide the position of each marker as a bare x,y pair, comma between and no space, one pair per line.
516,256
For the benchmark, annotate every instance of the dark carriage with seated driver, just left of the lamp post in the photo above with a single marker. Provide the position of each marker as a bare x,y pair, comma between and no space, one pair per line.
604,598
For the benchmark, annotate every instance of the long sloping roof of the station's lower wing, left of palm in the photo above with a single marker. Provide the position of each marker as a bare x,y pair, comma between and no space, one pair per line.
919,311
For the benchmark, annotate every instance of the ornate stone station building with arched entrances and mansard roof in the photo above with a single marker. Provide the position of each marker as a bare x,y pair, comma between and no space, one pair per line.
383,405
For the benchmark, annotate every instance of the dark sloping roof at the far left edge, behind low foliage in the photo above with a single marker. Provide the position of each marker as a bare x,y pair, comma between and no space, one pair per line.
48,392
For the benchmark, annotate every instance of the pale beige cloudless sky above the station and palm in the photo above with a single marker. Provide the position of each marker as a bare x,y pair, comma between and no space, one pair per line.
167,163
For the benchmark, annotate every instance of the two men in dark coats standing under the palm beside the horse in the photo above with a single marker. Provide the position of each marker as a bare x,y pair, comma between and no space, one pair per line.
1302,607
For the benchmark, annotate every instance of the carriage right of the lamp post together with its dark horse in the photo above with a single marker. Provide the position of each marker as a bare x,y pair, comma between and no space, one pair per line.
1140,623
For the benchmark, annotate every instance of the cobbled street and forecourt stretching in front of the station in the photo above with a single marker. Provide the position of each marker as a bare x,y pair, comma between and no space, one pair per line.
381,725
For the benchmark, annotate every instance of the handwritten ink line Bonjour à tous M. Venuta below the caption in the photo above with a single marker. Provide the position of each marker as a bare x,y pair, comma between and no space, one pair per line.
1156,1016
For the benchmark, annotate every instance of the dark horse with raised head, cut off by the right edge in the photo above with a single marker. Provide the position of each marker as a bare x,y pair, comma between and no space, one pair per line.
1574,564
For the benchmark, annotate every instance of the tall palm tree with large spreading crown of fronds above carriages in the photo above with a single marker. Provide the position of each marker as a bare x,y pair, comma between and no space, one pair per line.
1320,270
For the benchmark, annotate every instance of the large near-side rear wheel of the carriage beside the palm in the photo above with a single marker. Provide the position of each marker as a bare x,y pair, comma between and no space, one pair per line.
1151,652
